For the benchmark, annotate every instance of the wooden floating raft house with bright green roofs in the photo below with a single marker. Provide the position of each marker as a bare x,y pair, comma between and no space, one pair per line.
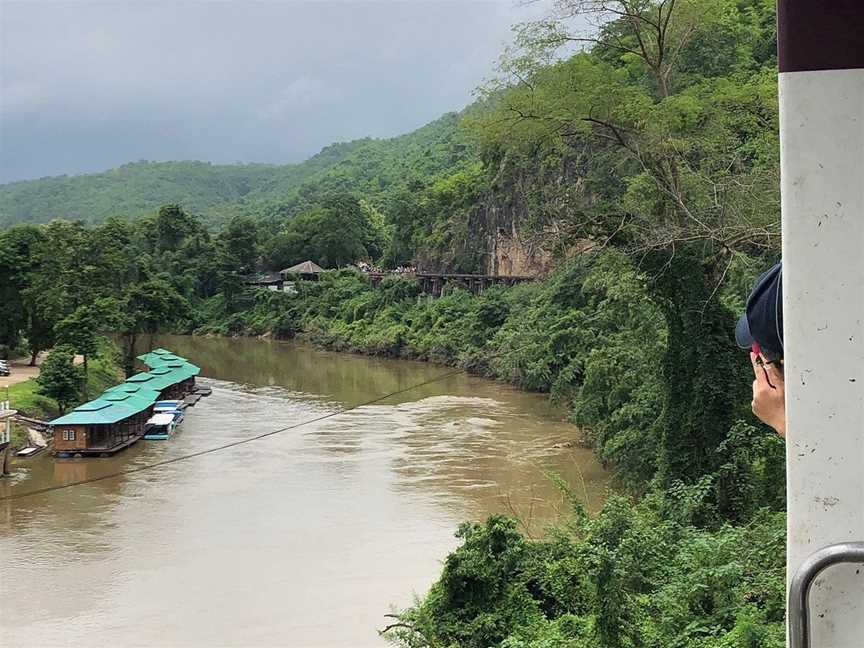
115,419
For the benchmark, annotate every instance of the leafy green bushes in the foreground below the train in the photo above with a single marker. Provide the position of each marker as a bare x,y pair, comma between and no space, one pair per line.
630,577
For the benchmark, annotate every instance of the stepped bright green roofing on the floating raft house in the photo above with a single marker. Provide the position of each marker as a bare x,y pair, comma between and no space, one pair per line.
136,394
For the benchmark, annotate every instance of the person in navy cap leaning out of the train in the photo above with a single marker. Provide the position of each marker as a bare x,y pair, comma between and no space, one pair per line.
760,329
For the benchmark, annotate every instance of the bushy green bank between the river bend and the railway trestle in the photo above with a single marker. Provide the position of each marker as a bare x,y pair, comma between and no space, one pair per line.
587,335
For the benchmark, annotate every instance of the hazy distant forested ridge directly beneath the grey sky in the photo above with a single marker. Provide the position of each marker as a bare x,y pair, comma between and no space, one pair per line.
371,167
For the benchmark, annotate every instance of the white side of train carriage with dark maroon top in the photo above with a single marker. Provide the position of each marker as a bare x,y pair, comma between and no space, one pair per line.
822,157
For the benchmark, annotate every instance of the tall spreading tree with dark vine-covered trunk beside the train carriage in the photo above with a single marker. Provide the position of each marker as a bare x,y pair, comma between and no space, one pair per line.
677,170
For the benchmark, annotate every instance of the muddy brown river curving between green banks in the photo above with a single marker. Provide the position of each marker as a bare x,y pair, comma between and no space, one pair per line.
304,538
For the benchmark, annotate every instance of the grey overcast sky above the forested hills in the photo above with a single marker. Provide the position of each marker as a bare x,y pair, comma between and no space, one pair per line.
86,86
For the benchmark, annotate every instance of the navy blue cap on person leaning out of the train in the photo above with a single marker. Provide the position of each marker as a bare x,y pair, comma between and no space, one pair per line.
762,321
